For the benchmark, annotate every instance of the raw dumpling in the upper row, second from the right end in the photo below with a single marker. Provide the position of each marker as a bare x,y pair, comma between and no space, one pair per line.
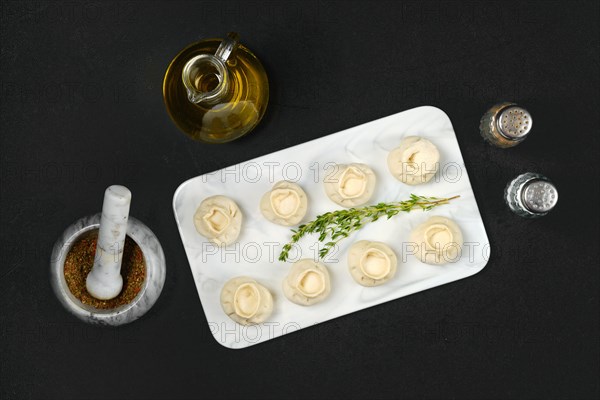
350,185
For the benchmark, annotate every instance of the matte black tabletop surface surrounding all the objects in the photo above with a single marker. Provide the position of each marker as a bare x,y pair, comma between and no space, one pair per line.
82,109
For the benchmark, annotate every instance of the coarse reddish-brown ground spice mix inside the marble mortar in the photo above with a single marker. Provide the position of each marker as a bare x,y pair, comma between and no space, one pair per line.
79,263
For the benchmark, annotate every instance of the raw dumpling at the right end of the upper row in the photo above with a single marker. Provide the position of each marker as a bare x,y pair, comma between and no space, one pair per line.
415,161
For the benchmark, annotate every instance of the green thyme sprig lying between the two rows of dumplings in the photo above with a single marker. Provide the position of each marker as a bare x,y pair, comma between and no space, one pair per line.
337,225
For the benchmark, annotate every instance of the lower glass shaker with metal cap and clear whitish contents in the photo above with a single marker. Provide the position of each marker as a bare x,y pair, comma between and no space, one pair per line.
531,195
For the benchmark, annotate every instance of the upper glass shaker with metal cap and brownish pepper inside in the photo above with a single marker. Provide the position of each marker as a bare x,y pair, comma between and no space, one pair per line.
505,125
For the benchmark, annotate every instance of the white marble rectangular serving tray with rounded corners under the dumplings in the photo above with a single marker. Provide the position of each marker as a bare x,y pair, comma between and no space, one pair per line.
255,254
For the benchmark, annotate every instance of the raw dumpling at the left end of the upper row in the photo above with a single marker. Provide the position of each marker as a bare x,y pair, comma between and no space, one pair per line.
219,219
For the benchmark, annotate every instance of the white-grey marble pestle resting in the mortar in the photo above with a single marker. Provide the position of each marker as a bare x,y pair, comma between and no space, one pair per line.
105,282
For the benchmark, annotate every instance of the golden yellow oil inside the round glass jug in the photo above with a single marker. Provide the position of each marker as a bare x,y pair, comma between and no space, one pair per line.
236,113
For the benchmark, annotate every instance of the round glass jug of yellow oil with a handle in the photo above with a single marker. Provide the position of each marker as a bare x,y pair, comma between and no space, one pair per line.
216,90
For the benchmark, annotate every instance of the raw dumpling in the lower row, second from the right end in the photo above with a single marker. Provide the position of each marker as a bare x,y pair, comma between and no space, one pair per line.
371,263
